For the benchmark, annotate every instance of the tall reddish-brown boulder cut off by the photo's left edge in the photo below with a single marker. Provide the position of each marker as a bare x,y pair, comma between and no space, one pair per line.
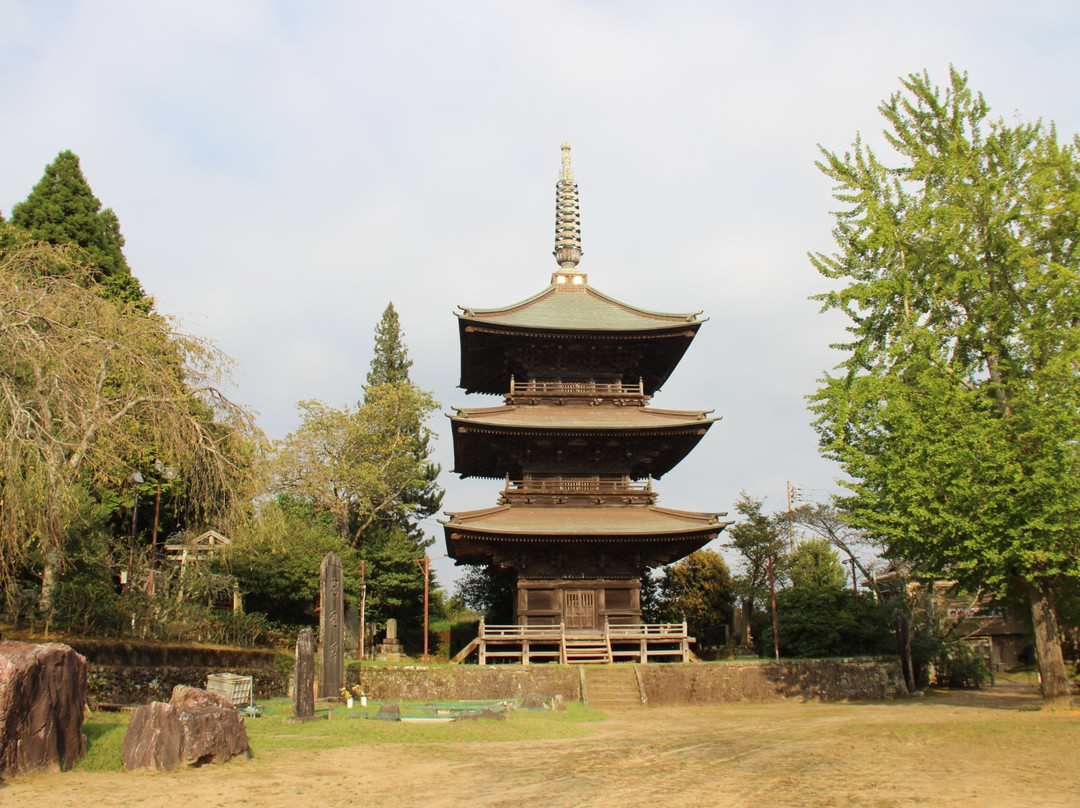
43,698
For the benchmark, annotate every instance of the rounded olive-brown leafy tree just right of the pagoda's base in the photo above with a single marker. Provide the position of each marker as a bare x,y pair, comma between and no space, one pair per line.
698,589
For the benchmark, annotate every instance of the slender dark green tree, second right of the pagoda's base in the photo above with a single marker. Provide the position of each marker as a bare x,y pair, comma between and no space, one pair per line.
758,538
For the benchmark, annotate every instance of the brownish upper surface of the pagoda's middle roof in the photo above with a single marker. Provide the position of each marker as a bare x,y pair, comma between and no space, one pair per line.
573,419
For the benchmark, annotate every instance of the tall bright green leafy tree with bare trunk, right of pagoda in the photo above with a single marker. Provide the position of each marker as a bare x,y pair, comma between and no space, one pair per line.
957,409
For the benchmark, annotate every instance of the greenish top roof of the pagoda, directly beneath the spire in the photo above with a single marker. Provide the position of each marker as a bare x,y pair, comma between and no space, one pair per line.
578,307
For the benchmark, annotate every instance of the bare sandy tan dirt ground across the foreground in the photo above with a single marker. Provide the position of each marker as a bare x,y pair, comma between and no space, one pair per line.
985,749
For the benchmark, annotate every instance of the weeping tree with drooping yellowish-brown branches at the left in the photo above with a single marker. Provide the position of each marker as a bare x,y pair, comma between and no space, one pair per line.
91,389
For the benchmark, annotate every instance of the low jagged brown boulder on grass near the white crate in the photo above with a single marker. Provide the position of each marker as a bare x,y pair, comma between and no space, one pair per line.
194,729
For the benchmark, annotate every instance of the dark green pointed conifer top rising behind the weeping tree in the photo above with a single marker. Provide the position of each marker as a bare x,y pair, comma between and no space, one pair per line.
63,210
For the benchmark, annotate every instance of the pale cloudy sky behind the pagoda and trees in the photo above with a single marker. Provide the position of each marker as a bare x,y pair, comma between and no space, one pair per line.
282,171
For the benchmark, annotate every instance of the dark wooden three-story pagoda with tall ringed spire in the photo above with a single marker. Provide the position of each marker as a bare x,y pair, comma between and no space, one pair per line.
576,442
